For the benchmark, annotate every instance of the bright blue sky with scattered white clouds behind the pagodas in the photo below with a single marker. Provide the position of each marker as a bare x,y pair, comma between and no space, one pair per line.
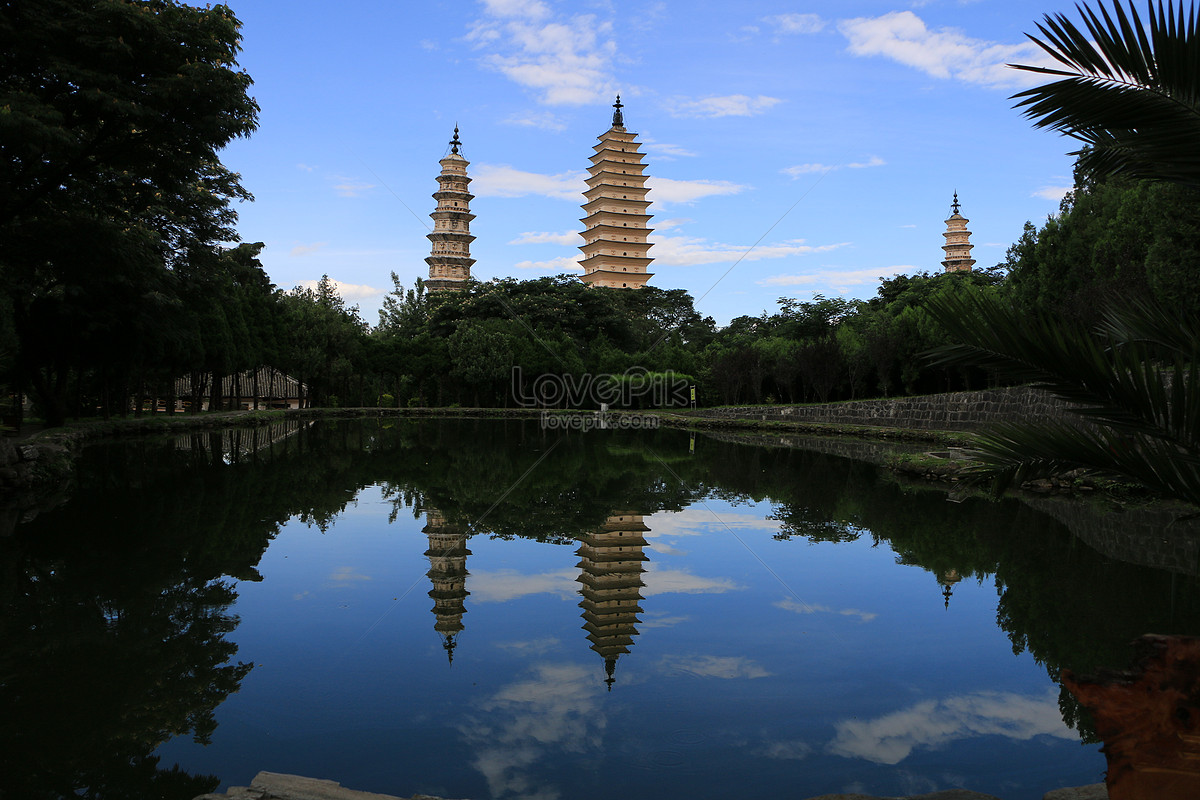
794,148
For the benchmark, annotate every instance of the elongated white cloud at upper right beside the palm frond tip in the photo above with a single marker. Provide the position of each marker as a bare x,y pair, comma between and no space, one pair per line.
943,53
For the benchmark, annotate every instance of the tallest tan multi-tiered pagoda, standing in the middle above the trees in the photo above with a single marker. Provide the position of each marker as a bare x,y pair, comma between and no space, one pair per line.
616,254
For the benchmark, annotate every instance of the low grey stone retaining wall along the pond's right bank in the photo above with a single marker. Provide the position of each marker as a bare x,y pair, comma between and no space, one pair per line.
949,412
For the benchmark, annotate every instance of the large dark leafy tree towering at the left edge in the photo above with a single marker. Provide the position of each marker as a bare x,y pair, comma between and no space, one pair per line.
113,113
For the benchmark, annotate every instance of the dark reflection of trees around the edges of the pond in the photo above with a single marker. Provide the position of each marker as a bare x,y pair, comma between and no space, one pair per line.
115,610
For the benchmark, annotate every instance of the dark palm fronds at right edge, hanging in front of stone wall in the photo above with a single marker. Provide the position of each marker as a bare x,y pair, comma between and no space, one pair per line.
1135,384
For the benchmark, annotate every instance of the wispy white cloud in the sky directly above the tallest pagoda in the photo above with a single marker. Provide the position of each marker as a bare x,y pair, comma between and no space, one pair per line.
565,61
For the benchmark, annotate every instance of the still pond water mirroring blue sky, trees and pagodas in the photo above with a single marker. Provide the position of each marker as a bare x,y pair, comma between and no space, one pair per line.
484,610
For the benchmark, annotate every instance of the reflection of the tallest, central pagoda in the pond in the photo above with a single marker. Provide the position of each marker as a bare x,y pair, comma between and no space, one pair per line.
613,564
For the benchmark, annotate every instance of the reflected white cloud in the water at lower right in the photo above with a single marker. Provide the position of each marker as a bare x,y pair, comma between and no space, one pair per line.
892,738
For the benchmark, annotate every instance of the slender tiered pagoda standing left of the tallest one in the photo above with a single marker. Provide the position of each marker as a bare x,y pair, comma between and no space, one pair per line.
451,256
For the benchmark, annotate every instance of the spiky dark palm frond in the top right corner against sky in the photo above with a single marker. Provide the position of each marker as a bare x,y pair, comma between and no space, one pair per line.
1131,92
